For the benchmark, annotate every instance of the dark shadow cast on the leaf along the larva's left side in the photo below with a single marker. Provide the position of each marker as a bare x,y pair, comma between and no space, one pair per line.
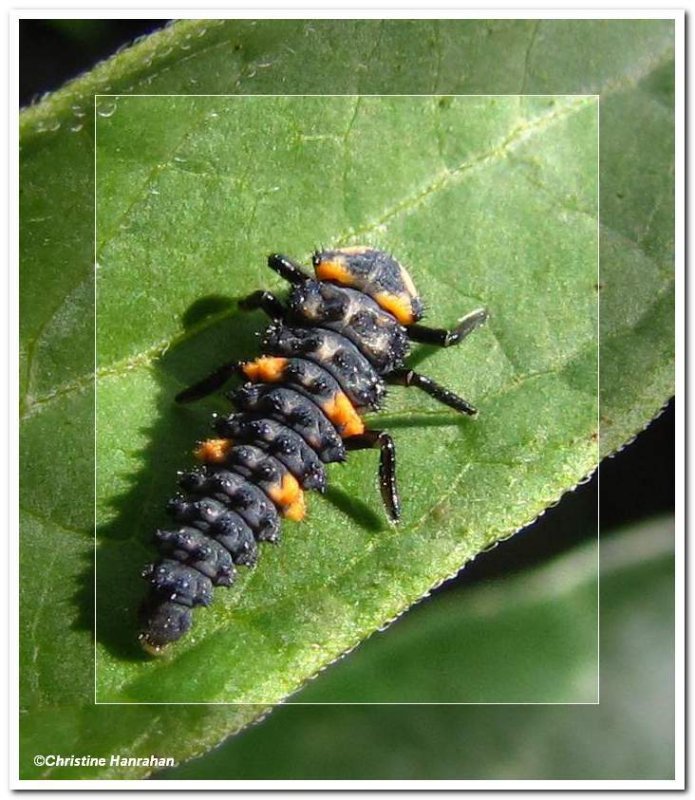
124,545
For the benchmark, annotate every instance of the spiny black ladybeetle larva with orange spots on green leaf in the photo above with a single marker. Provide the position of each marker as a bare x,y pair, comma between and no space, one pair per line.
328,355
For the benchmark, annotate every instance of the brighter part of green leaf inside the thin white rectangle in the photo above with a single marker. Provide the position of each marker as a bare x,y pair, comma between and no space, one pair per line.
495,198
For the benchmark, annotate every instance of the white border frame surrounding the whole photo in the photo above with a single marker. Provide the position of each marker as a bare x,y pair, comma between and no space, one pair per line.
318,11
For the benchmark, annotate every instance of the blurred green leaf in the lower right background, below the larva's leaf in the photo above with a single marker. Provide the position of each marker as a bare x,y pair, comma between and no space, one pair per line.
628,736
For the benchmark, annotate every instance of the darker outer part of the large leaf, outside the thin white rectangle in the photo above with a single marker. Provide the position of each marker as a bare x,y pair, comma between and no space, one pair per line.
630,65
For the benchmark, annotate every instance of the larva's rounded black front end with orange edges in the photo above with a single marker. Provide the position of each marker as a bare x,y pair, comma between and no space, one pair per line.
375,273
